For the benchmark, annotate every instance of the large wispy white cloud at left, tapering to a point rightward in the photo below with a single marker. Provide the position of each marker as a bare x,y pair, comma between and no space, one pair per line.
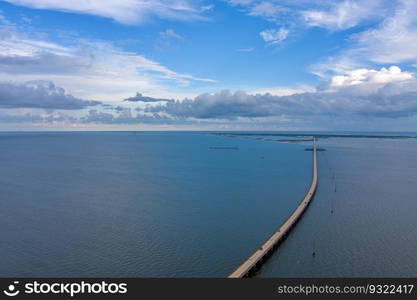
88,69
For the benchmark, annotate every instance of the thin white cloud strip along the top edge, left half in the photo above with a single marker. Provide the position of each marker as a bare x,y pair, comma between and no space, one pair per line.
126,11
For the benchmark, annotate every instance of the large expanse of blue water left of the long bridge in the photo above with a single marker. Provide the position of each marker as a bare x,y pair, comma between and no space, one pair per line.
141,204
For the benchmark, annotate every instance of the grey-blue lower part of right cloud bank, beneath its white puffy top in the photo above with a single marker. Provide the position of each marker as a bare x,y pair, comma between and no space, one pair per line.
232,106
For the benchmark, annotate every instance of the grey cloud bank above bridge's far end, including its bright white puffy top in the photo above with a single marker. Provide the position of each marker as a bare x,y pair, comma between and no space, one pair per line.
381,93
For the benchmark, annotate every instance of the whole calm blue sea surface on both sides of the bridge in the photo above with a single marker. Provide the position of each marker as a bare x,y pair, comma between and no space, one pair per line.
157,204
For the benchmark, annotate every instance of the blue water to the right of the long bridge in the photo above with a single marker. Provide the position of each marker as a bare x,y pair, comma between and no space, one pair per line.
371,186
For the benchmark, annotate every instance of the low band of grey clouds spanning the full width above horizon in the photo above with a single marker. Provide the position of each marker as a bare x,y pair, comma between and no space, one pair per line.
385,93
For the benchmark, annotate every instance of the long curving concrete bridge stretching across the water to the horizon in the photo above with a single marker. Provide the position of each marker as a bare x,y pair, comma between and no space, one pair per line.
250,265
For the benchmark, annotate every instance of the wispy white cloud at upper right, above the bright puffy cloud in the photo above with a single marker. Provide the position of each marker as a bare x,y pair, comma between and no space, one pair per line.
392,41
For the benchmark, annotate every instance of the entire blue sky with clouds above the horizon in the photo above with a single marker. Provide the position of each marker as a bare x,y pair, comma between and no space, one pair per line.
208,65
